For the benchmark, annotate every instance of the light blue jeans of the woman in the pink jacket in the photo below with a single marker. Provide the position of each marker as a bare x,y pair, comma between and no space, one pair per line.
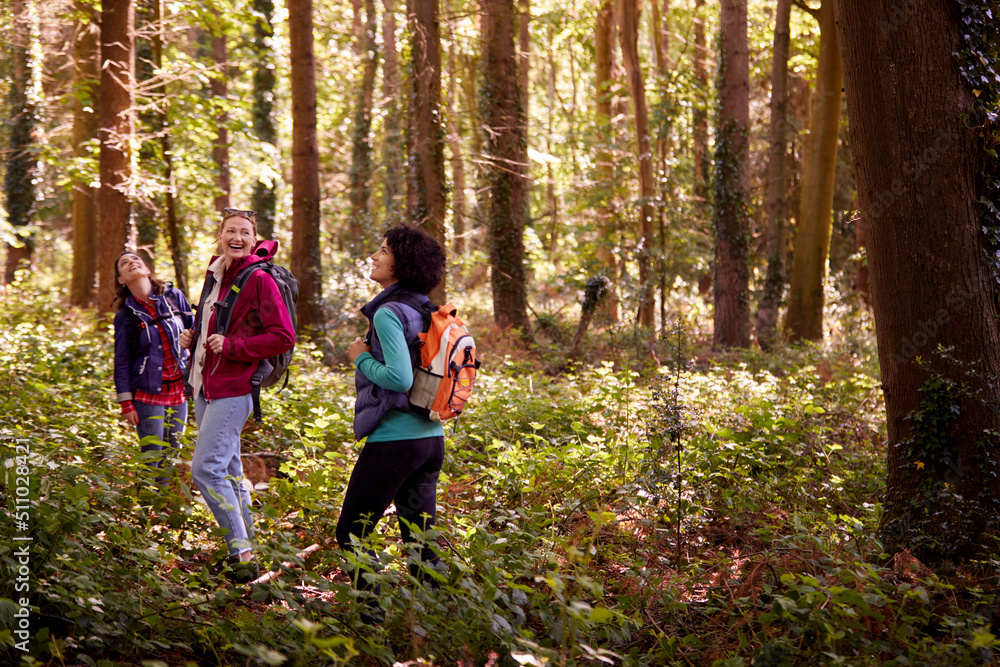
216,467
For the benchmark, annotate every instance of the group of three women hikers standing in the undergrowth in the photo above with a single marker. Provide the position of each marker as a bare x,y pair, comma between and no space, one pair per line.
159,342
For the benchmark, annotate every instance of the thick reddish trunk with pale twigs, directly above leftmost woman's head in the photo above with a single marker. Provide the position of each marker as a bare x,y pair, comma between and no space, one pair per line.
117,122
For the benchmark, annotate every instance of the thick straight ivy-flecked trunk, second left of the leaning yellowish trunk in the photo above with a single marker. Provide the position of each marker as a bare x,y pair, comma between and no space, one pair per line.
732,220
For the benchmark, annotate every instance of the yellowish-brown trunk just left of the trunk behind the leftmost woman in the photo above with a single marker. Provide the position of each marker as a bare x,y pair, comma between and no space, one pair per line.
85,70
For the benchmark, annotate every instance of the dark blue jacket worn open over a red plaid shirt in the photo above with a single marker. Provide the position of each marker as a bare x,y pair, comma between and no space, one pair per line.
138,348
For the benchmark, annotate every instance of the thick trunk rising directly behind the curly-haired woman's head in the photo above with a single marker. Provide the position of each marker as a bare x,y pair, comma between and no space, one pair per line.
427,148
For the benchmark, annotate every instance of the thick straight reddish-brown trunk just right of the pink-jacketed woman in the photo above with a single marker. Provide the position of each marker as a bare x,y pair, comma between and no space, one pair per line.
306,257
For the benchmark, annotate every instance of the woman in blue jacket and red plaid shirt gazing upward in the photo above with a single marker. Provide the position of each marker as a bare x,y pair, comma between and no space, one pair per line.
149,361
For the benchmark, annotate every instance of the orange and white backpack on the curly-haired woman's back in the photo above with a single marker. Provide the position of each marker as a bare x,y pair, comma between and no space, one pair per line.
442,383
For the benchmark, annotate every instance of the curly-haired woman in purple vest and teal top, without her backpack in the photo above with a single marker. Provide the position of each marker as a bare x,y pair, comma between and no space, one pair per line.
403,453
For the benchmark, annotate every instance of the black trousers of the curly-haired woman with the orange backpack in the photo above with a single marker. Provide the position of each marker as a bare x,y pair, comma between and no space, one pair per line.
404,472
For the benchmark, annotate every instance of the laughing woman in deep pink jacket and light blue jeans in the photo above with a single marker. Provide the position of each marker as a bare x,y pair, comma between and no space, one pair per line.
221,368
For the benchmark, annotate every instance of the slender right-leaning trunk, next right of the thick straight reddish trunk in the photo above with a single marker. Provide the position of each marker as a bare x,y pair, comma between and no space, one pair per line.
361,159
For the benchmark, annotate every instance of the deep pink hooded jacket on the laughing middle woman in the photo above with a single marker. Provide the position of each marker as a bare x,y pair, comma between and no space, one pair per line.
259,328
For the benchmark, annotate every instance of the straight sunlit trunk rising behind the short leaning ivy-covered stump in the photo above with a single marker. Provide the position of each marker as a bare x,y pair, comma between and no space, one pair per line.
605,172
